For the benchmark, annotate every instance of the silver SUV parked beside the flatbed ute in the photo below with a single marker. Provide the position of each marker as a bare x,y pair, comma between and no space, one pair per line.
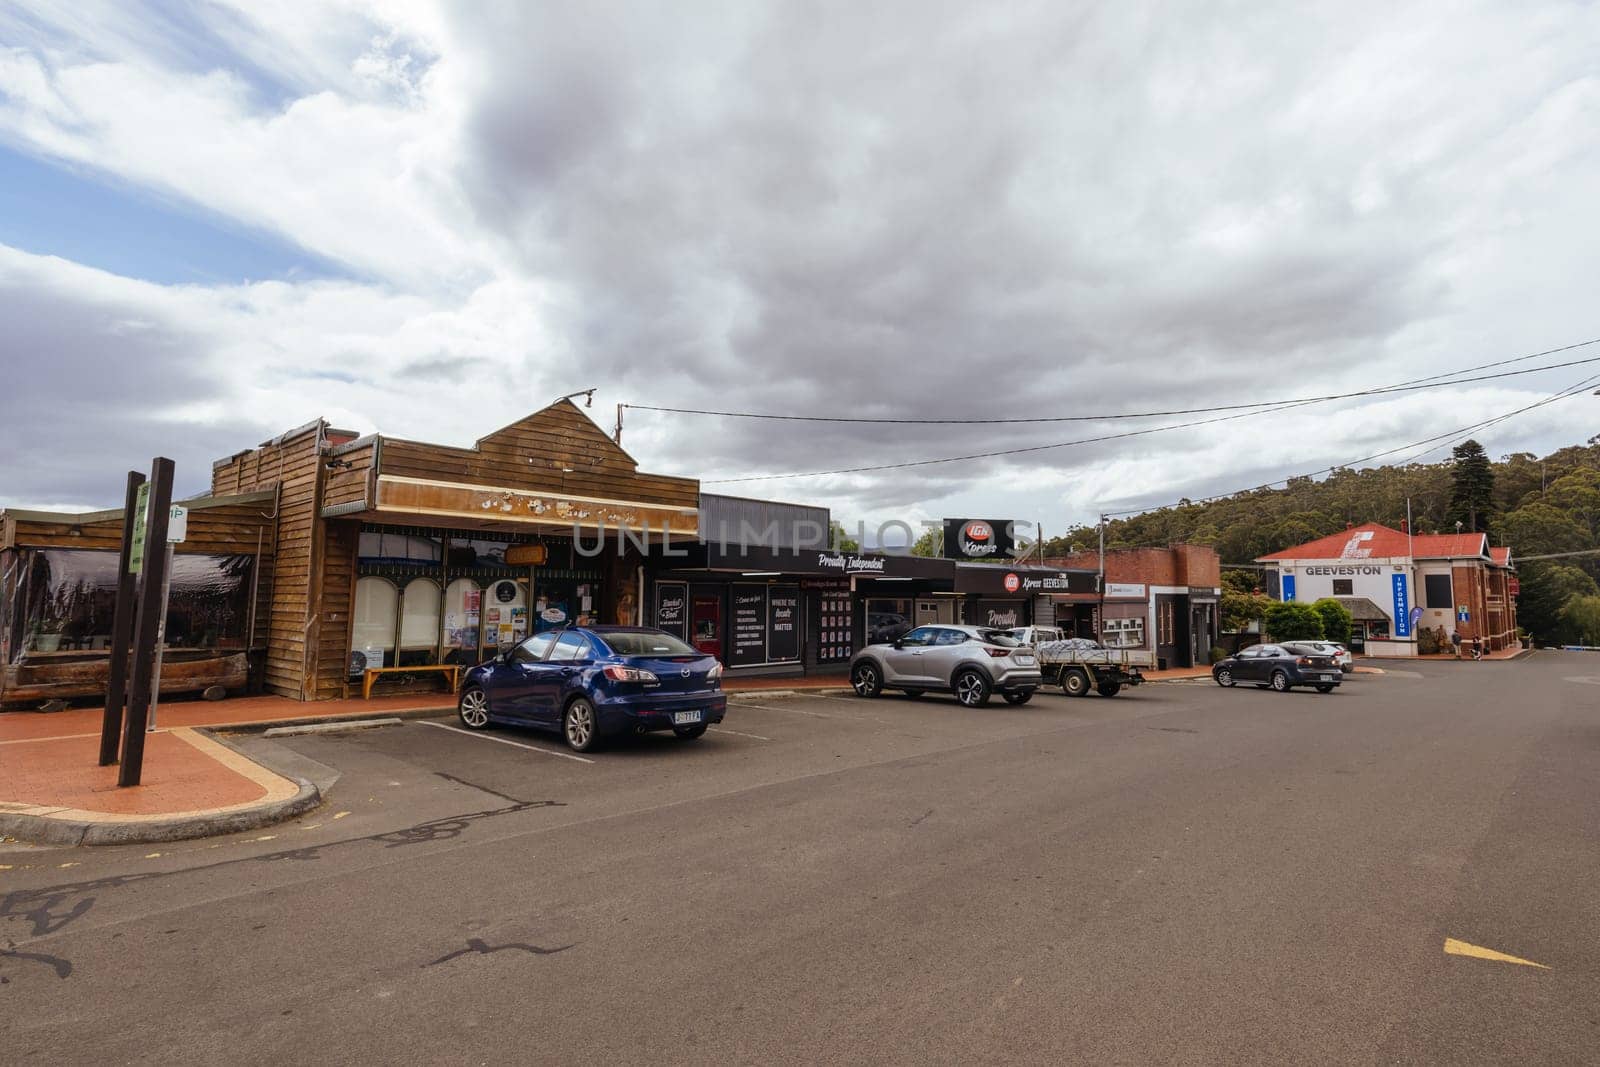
970,661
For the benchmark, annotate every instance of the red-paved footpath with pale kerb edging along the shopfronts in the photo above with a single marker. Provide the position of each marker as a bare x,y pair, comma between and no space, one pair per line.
196,783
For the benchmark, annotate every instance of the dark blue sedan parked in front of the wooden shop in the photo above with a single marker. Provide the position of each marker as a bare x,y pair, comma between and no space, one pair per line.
598,682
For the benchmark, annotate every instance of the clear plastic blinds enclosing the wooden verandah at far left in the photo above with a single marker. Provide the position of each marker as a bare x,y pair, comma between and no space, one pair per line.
60,601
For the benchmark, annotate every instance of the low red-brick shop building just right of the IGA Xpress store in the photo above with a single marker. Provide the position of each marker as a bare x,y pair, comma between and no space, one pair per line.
1164,601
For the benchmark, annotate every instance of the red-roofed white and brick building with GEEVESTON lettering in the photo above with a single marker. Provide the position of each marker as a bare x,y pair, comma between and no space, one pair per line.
1396,585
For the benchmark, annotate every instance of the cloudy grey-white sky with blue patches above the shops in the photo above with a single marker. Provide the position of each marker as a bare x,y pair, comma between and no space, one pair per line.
225,220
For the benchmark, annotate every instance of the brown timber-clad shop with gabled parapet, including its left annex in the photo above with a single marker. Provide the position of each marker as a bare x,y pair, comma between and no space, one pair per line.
377,551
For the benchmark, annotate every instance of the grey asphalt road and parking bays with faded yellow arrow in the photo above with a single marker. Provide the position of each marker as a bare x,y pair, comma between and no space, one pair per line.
1180,874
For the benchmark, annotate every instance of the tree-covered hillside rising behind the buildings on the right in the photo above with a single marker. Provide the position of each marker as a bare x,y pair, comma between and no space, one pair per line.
1535,506
